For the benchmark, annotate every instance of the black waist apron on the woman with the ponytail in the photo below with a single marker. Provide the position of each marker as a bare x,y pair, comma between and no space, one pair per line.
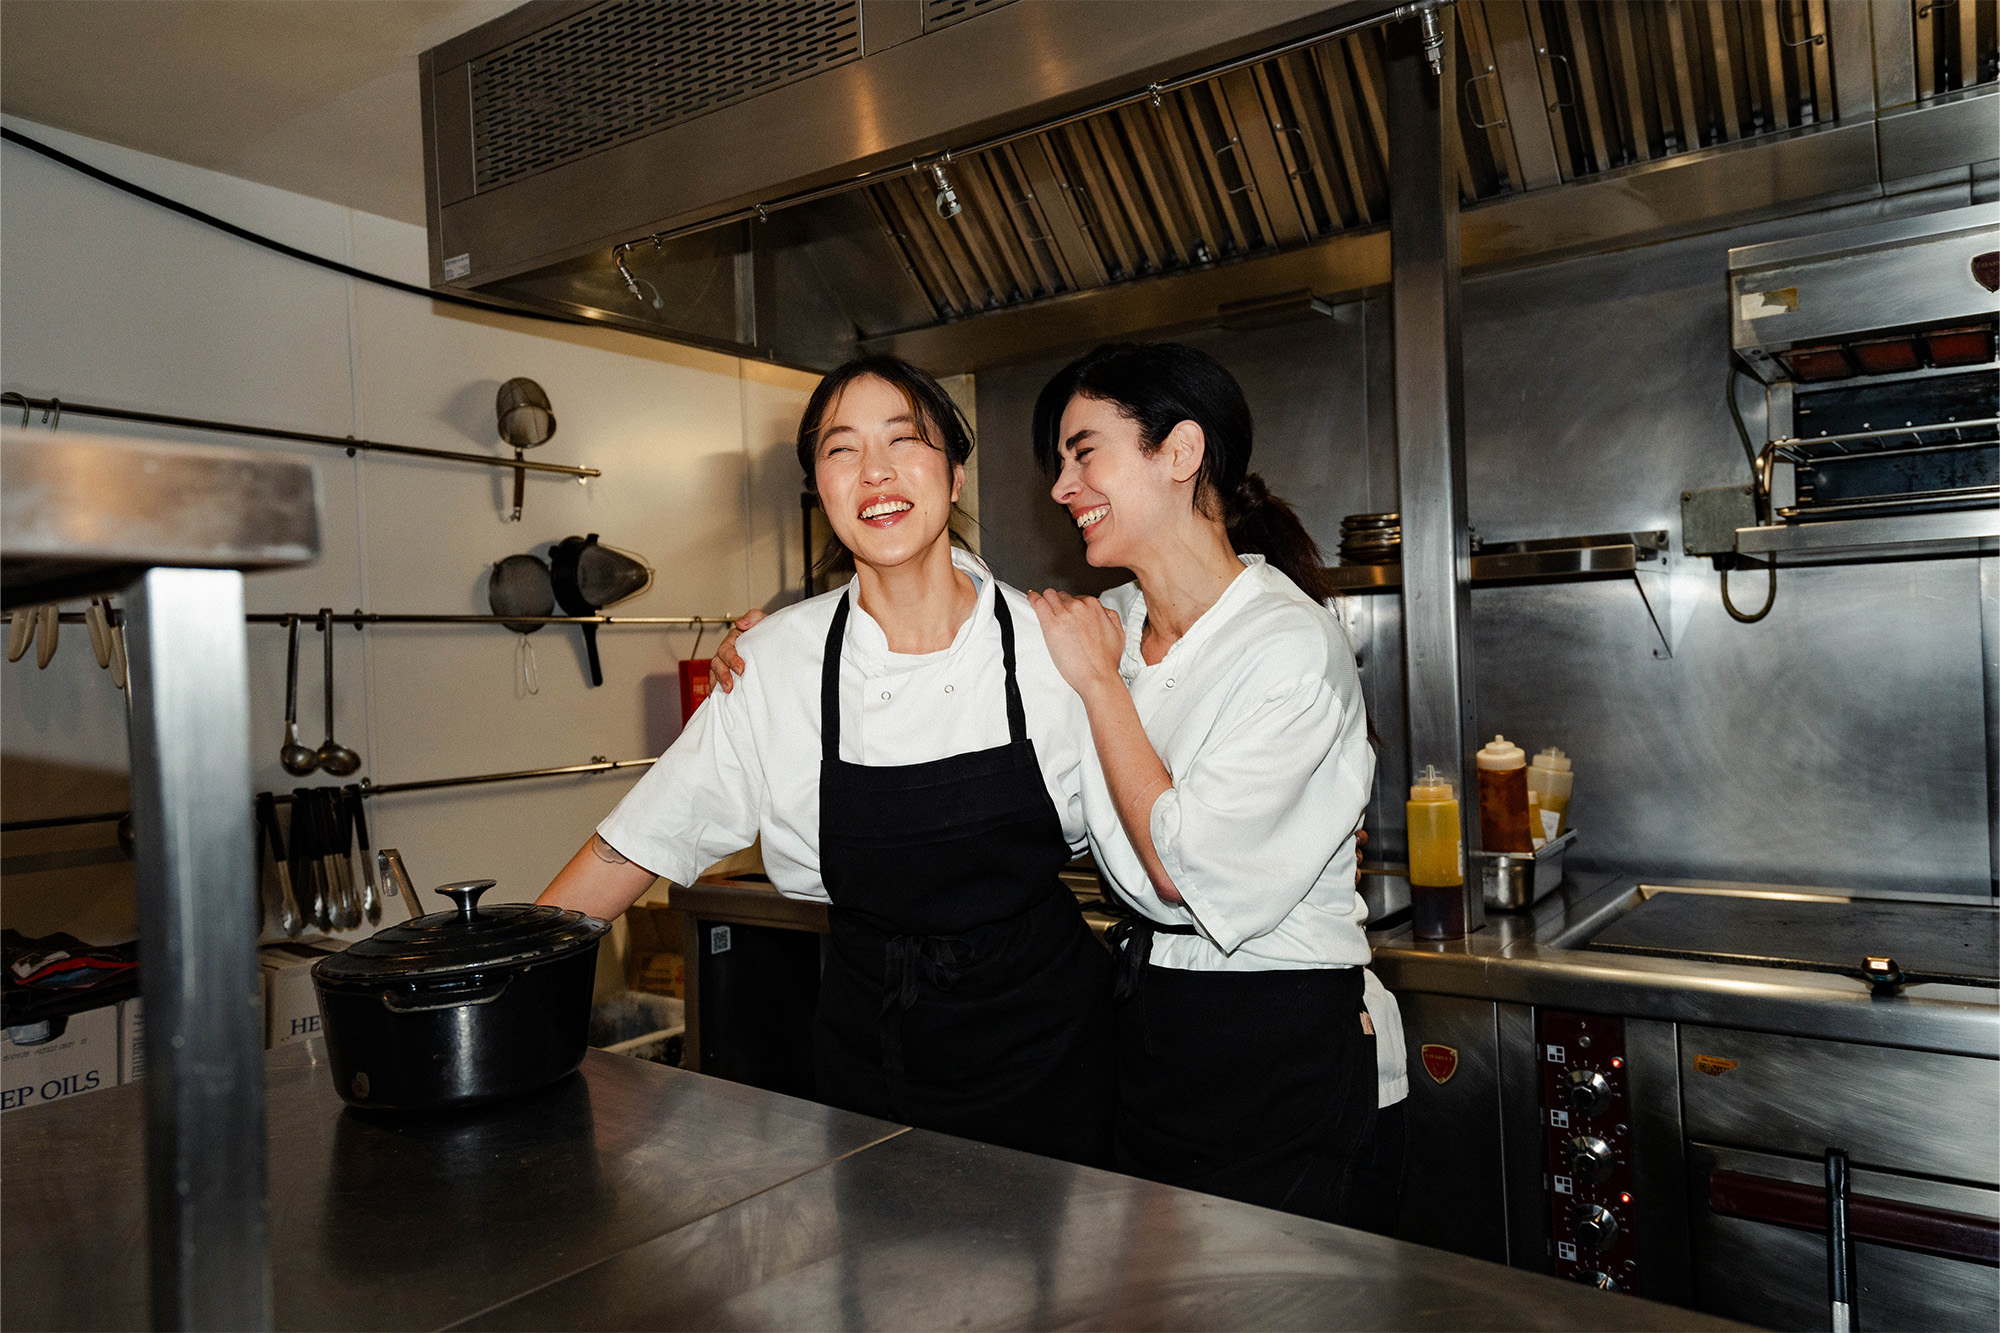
1251,1086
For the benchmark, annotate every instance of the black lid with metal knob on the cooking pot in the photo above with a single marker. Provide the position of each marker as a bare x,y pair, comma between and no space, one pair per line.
467,940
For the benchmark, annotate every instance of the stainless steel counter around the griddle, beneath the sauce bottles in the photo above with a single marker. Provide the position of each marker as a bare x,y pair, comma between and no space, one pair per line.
1535,958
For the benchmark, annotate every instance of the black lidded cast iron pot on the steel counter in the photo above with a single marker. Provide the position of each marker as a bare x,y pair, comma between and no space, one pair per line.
459,1008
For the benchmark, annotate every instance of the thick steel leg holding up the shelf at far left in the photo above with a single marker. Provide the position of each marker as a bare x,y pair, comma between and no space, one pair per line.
199,926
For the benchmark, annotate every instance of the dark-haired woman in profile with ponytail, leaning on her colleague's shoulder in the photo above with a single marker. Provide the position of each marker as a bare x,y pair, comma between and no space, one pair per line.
1231,782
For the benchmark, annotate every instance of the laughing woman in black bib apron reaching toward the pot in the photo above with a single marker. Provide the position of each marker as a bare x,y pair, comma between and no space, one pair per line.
911,758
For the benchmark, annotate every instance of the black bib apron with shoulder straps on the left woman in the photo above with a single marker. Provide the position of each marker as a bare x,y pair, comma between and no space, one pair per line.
963,990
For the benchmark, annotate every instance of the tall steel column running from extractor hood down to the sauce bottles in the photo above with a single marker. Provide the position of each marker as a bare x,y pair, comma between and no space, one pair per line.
1431,439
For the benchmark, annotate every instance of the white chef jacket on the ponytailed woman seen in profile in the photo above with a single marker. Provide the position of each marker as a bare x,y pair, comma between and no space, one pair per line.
1259,716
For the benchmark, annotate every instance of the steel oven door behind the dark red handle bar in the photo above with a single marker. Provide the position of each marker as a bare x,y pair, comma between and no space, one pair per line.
1777,1278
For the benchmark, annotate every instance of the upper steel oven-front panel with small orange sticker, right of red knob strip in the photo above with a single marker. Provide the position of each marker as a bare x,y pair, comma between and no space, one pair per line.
1891,1110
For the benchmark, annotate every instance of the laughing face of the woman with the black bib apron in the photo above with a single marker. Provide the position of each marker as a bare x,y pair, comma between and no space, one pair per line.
885,485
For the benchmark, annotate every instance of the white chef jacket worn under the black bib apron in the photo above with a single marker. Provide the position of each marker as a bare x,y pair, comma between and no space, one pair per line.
749,764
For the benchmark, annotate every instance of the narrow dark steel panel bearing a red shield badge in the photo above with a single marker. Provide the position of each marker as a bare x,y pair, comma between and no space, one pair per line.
1455,1180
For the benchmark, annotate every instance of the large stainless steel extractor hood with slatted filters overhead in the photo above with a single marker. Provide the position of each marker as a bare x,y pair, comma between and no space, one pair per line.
977,181
